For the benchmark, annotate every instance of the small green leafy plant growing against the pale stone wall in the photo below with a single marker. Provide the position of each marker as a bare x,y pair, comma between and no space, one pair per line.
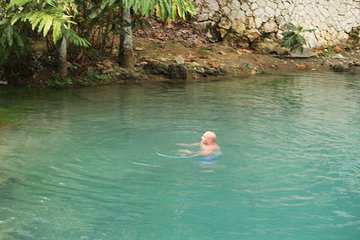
293,39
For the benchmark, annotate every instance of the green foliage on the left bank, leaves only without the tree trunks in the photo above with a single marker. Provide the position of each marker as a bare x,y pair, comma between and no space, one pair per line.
22,21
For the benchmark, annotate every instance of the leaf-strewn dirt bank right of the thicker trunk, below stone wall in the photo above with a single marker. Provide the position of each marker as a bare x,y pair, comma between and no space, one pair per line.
182,44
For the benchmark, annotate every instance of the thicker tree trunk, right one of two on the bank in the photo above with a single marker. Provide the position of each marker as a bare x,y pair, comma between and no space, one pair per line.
126,54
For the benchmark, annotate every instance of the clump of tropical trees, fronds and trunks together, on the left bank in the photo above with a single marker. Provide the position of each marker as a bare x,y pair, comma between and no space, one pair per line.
63,21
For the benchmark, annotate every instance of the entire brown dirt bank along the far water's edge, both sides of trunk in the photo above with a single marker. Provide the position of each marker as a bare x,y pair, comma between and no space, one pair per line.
180,51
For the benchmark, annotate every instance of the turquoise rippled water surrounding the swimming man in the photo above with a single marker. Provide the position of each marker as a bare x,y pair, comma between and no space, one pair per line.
83,164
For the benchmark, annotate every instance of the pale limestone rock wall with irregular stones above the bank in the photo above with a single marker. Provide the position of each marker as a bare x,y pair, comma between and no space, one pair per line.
248,22
